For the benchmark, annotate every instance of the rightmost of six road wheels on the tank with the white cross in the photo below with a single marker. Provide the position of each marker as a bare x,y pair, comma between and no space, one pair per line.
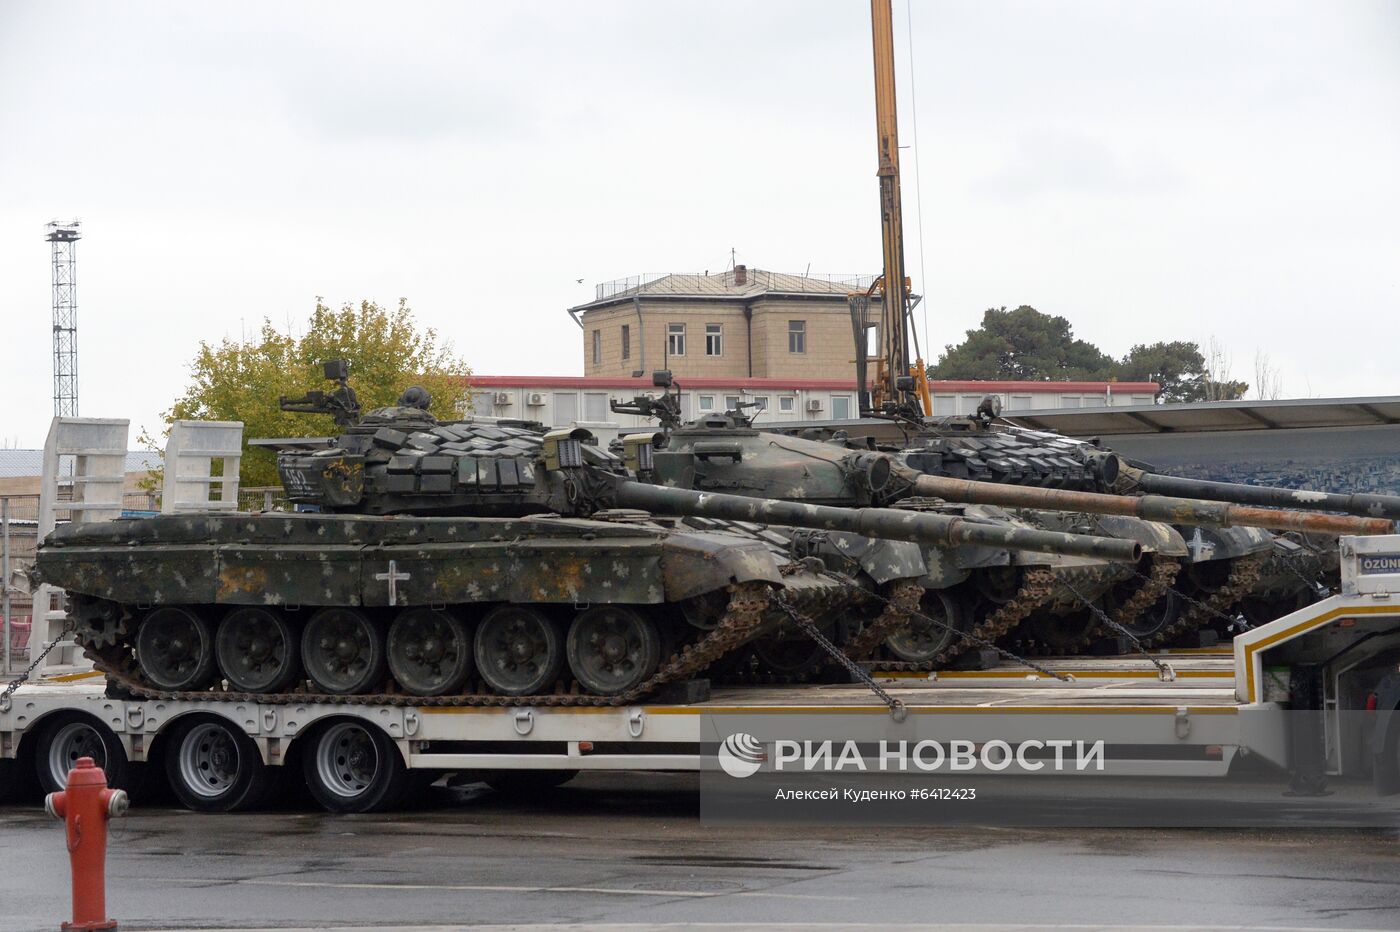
612,649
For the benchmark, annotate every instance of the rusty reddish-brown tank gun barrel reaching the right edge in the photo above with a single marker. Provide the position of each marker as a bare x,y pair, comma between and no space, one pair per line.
1174,511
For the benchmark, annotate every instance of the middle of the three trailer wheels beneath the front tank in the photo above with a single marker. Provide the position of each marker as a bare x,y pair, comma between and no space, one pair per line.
215,768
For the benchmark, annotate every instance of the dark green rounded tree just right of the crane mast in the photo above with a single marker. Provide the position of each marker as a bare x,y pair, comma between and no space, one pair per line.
1023,345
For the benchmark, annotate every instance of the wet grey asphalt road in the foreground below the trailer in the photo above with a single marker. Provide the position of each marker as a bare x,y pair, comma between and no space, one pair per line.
632,850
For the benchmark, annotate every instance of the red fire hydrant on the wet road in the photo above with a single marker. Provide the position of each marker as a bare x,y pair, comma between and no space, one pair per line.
85,805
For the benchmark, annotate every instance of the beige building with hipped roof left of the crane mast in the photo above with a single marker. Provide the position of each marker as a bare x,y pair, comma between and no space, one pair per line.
743,324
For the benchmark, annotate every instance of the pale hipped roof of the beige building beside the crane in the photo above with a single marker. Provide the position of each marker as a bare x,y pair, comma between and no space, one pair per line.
726,285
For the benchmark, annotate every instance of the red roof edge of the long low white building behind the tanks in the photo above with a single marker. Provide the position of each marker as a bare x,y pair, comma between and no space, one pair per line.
836,386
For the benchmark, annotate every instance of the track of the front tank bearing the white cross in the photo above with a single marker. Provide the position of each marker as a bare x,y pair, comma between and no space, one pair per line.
743,618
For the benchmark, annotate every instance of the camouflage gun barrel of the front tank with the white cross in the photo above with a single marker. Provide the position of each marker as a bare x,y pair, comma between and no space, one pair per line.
890,524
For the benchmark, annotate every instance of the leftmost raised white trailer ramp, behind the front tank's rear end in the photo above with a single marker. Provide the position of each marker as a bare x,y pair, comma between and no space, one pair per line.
87,457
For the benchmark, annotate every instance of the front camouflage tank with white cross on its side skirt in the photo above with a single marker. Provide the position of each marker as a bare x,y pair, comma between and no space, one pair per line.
464,563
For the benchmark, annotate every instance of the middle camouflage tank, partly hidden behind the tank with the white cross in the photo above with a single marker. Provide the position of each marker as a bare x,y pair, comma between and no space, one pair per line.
982,593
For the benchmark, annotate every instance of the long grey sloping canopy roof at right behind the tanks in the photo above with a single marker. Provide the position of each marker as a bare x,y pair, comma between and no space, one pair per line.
1214,416
